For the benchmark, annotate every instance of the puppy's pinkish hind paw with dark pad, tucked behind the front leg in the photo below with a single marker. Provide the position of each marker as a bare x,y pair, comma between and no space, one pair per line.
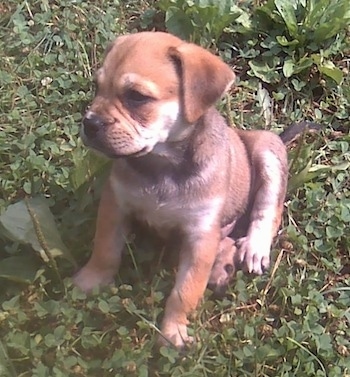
223,268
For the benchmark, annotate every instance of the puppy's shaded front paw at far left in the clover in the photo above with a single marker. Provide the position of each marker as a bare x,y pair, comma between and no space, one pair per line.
88,278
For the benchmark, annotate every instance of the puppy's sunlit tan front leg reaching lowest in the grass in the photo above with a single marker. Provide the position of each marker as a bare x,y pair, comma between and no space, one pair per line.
196,260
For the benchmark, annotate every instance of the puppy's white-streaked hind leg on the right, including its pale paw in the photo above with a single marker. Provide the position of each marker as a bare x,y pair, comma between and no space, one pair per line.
271,180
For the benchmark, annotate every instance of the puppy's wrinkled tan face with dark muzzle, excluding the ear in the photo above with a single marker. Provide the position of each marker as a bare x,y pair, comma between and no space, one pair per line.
137,102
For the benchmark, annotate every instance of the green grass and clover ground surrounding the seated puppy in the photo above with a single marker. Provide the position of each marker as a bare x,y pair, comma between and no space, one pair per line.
292,63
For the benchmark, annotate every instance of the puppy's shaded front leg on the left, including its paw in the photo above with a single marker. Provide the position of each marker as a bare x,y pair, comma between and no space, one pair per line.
108,244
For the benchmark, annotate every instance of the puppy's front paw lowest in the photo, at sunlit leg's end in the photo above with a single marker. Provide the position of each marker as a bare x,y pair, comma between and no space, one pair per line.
176,335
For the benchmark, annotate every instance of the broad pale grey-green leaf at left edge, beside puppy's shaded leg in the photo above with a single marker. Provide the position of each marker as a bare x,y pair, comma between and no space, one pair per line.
20,226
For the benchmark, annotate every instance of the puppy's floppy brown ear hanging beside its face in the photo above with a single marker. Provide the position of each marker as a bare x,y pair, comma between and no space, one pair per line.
205,78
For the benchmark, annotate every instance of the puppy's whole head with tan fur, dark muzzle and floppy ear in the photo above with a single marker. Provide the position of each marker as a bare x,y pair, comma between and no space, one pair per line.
151,88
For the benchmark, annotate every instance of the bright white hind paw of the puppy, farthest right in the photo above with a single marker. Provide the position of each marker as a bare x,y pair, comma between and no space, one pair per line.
255,256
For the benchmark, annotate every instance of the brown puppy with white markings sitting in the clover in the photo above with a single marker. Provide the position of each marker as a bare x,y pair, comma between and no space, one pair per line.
179,167
